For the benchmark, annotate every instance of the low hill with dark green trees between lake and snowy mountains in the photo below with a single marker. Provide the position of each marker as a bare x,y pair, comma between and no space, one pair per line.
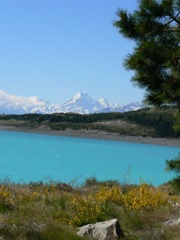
143,122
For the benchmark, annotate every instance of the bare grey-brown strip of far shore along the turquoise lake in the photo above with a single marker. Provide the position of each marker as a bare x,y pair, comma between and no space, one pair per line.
174,142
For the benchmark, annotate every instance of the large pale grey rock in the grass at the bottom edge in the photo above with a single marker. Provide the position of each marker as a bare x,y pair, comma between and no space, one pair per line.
106,230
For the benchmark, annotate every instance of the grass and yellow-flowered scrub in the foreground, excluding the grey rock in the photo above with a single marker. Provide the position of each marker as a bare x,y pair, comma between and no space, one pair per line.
46,211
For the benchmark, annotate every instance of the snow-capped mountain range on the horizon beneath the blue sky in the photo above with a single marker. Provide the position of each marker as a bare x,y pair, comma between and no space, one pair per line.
80,103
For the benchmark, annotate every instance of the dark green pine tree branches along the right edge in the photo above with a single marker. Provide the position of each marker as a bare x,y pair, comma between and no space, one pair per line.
155,28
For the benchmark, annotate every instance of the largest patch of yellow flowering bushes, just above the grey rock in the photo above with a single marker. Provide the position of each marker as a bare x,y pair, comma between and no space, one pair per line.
91,208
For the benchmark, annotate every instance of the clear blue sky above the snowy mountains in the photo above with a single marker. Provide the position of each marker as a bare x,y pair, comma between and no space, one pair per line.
55,48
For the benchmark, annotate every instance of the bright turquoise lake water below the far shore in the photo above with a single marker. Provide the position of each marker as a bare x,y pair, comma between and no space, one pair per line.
26,157
